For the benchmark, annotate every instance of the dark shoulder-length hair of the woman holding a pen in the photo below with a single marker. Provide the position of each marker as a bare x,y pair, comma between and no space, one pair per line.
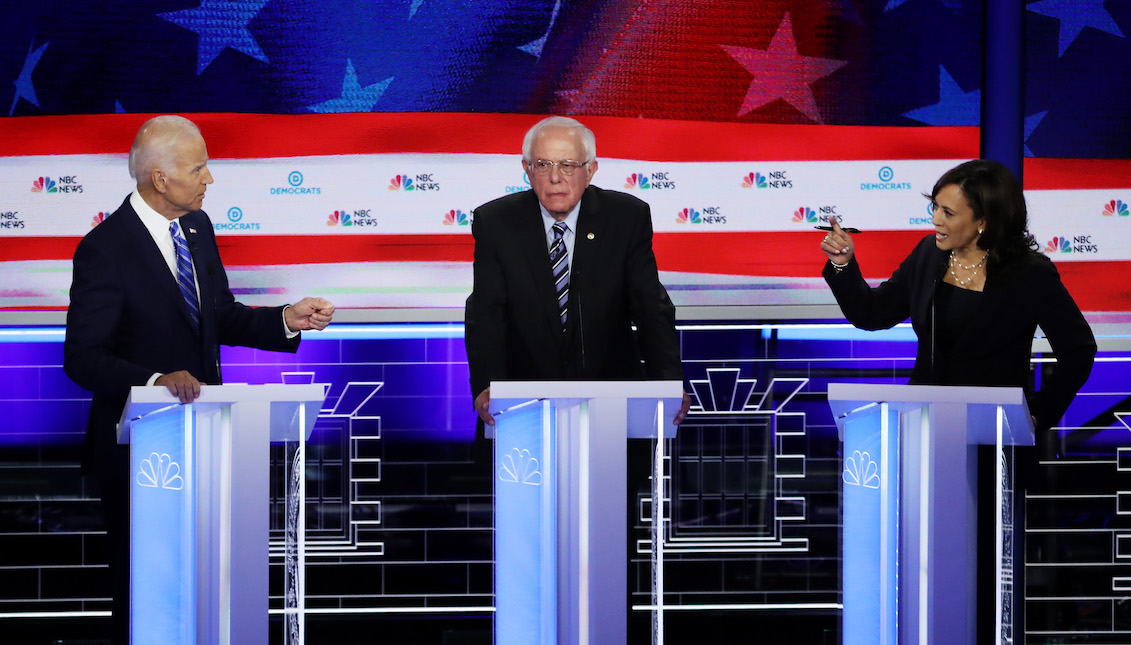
996,197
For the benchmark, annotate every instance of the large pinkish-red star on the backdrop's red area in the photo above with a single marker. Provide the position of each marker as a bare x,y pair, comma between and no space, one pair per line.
781,73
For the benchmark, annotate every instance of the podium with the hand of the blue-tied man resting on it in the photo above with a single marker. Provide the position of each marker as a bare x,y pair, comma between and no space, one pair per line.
200,511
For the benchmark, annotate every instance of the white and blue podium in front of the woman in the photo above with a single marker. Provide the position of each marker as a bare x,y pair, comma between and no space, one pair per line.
909,513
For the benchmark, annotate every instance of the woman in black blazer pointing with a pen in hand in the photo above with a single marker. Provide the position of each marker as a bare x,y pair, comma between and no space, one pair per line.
977,290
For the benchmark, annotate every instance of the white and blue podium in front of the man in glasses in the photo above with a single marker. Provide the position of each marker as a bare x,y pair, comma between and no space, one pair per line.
562,508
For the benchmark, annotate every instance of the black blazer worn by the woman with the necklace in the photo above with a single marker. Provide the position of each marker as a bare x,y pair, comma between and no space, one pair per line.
995,350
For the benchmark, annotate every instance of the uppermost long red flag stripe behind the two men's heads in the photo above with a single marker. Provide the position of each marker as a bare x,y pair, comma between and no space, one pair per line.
253,136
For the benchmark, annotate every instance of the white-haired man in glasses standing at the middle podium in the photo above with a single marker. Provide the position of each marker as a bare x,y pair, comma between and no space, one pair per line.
563,272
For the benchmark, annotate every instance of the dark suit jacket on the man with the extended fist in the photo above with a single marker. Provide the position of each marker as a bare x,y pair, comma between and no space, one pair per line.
128,320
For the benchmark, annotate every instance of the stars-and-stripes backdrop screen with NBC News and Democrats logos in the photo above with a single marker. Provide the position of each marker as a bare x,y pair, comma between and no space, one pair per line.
668,85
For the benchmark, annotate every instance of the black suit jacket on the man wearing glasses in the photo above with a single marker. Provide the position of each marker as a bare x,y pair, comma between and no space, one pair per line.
513,328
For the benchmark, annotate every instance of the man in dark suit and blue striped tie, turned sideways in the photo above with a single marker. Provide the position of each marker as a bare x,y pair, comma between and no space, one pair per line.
150,305
